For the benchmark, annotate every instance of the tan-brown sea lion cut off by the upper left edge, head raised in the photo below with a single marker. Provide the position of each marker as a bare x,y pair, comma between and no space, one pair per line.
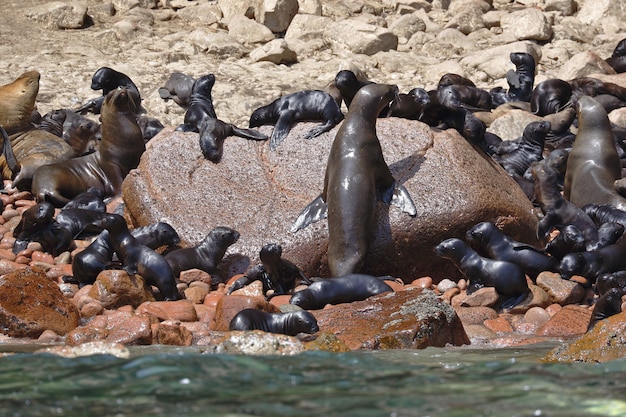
18,102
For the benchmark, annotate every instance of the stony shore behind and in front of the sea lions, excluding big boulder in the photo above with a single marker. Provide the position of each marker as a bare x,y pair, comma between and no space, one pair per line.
259,50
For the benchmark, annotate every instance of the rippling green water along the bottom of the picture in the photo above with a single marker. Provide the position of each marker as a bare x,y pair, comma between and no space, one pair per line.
432,382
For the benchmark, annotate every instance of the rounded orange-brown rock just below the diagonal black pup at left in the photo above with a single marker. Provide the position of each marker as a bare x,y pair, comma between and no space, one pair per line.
115,288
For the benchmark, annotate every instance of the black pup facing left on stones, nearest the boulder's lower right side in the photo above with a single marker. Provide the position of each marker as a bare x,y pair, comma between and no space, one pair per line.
507,278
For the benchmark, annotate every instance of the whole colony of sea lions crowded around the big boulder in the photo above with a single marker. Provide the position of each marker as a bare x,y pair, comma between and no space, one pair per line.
61,178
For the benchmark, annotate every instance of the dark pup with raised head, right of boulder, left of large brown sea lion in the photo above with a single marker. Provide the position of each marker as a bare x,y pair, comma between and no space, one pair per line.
529,149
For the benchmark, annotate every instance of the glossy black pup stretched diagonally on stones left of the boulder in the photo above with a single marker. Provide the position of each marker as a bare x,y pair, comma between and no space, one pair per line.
139,259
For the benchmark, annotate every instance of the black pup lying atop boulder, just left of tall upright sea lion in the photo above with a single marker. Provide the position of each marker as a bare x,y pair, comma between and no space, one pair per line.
307,105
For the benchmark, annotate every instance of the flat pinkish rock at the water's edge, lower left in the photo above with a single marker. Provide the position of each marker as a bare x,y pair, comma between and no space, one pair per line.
117,327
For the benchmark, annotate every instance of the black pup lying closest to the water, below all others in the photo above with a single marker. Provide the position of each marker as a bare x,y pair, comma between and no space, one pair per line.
290,323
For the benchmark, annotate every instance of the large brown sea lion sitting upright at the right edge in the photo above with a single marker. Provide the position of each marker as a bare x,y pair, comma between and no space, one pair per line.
593,164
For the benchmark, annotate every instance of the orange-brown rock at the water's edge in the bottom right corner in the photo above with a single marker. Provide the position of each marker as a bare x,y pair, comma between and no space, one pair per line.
605,342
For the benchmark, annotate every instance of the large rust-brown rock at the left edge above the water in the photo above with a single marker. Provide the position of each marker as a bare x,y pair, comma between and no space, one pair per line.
31,303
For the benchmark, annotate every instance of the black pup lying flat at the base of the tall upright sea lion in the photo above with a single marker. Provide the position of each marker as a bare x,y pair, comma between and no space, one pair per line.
338,290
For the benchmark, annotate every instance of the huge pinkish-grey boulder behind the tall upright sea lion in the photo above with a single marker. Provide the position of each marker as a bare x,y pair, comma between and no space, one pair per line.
260,193
